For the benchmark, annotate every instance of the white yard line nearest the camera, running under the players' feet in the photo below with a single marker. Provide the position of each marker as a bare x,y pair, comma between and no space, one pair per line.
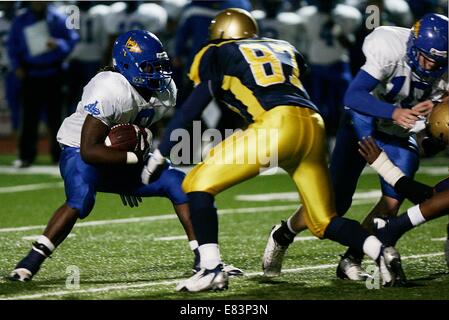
173,282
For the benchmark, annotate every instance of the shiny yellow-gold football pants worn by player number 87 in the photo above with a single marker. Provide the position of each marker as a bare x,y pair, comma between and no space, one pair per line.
293,135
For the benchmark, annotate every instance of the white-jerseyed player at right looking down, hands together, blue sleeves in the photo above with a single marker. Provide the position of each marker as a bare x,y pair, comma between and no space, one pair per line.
405,71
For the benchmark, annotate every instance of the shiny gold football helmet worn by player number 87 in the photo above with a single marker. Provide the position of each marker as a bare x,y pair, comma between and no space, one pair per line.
233,23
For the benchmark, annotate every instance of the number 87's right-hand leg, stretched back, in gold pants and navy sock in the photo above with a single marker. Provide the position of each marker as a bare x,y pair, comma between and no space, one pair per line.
313,182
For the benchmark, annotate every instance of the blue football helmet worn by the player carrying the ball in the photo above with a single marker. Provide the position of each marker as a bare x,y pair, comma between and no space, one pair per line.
140,57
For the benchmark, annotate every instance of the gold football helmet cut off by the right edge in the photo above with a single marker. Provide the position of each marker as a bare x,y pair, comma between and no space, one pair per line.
438,122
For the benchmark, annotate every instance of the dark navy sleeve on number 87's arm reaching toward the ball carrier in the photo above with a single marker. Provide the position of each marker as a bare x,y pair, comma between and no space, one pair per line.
183,117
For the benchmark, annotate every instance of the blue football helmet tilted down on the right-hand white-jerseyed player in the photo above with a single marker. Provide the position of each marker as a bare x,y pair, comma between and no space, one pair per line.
429,38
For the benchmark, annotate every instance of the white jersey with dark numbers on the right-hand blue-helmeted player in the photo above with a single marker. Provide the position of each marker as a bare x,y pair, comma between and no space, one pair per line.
385,50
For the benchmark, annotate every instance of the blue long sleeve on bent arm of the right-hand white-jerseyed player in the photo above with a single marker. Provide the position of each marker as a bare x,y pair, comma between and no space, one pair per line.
359,98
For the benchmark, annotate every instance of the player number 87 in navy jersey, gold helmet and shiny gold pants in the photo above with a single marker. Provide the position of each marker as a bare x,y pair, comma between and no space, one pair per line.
259,79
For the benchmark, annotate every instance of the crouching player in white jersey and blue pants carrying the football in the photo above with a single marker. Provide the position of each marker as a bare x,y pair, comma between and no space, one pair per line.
139,90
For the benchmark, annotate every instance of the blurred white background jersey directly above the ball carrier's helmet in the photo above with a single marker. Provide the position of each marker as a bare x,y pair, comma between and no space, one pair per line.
149,16
